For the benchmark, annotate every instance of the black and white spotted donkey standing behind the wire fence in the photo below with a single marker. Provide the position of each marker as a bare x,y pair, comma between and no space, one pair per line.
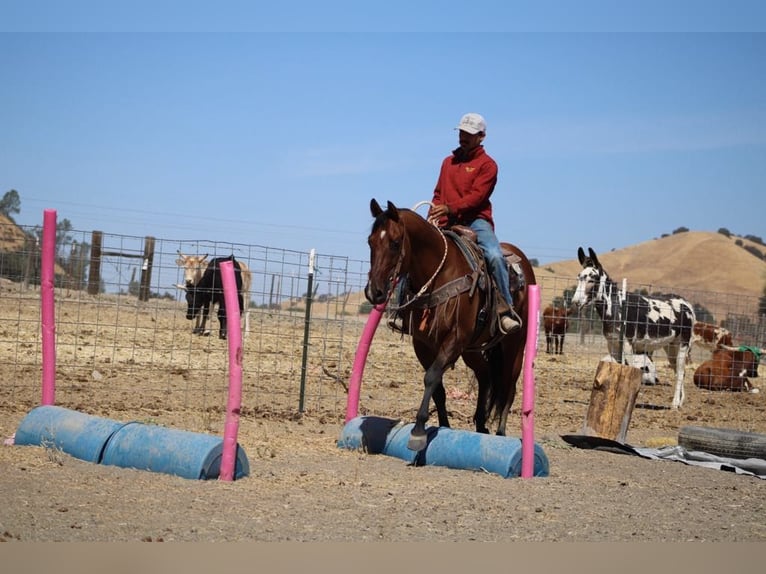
650,323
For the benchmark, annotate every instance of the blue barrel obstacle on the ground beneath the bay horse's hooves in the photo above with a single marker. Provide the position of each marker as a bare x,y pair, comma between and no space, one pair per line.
452,448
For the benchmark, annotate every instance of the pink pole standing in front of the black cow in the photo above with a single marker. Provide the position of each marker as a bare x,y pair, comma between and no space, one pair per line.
234,403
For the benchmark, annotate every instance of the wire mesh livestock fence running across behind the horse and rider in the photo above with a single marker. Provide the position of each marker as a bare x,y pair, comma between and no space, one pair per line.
124,349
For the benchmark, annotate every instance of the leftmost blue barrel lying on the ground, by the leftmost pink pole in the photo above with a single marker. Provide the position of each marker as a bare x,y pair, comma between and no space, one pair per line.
77,434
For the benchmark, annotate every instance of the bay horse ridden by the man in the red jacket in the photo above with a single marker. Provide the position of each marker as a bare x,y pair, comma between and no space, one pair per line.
450,311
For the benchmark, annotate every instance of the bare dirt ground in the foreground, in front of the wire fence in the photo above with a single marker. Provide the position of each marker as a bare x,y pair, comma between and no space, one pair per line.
318,492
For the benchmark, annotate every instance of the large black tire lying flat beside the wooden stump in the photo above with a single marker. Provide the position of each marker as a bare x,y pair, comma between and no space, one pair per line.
727,443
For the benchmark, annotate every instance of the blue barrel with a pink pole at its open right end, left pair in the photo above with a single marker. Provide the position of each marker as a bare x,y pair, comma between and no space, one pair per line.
171,451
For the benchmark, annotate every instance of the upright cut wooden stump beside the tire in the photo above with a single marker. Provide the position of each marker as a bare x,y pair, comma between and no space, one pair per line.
612,399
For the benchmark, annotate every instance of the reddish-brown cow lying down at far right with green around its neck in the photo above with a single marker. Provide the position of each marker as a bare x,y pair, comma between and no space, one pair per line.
728,370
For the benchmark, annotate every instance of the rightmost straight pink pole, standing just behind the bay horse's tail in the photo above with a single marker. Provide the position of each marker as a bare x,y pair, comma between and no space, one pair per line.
528,392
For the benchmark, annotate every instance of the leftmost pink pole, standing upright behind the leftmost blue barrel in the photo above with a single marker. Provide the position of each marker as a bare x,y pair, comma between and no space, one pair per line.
47,310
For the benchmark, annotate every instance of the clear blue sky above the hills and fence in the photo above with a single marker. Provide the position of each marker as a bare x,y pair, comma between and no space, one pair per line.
276,126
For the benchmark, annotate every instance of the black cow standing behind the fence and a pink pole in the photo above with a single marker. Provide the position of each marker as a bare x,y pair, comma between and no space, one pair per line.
208,291
